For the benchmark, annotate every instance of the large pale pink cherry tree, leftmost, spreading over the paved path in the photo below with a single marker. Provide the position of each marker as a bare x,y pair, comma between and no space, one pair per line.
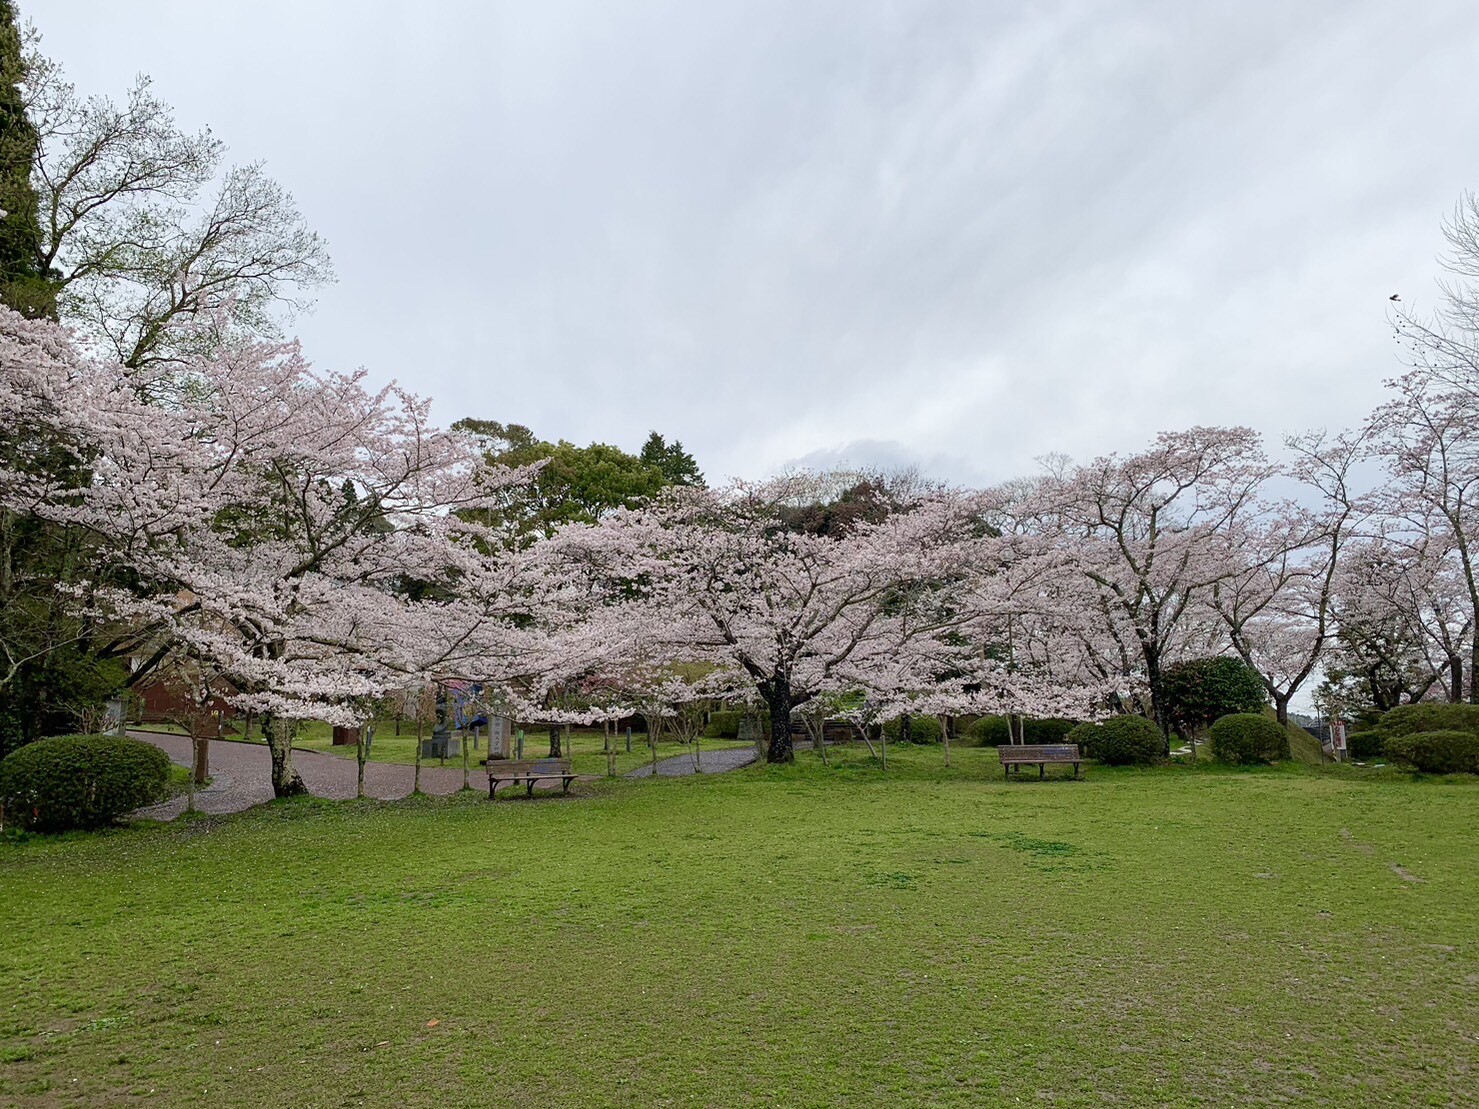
271,517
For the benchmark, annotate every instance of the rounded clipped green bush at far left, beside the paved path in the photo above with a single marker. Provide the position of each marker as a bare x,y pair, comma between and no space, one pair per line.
81,781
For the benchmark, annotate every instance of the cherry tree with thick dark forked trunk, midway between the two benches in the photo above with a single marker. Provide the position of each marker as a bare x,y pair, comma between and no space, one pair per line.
730,577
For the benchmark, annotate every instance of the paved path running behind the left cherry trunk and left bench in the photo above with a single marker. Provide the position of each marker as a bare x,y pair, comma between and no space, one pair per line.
242,776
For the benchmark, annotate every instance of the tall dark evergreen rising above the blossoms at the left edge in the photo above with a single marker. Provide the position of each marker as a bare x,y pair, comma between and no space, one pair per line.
23,285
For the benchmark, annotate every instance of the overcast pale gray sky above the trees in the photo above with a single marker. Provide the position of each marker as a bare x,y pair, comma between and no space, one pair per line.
950,234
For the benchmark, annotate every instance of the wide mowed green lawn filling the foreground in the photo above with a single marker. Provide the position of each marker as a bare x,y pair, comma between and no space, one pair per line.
773,937
